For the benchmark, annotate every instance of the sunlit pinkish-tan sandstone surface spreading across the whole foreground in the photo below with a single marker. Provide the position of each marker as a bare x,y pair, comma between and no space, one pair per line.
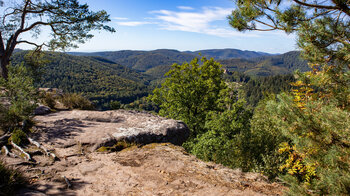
152,169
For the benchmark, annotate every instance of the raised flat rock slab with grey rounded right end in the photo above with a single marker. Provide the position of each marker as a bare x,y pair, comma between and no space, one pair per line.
96,129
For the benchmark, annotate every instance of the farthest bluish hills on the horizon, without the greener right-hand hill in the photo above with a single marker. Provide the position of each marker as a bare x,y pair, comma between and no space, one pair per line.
144,60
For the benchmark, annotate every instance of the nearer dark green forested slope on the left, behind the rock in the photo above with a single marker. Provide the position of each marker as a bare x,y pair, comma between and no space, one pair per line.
97,78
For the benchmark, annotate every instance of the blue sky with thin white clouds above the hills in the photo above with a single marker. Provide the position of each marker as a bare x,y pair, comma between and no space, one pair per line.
181,24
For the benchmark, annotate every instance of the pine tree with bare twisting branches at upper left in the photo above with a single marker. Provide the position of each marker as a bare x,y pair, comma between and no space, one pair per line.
69,22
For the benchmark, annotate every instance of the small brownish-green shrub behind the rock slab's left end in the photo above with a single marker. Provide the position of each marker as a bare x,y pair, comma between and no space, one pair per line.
76,101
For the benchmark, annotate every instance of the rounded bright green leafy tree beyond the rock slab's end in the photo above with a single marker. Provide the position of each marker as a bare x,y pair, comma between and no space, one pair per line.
190,91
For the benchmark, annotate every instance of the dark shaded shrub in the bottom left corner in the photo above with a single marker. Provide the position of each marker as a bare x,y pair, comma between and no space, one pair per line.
10,180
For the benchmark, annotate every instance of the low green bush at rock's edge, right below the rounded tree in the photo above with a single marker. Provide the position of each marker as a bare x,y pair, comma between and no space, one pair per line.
228,139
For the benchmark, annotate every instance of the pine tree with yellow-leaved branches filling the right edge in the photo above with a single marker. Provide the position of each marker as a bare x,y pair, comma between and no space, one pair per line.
315,115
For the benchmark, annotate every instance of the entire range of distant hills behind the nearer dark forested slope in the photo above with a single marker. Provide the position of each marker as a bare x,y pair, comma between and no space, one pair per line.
156,63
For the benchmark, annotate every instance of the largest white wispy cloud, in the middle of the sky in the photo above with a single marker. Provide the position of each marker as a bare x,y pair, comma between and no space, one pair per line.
199,22
